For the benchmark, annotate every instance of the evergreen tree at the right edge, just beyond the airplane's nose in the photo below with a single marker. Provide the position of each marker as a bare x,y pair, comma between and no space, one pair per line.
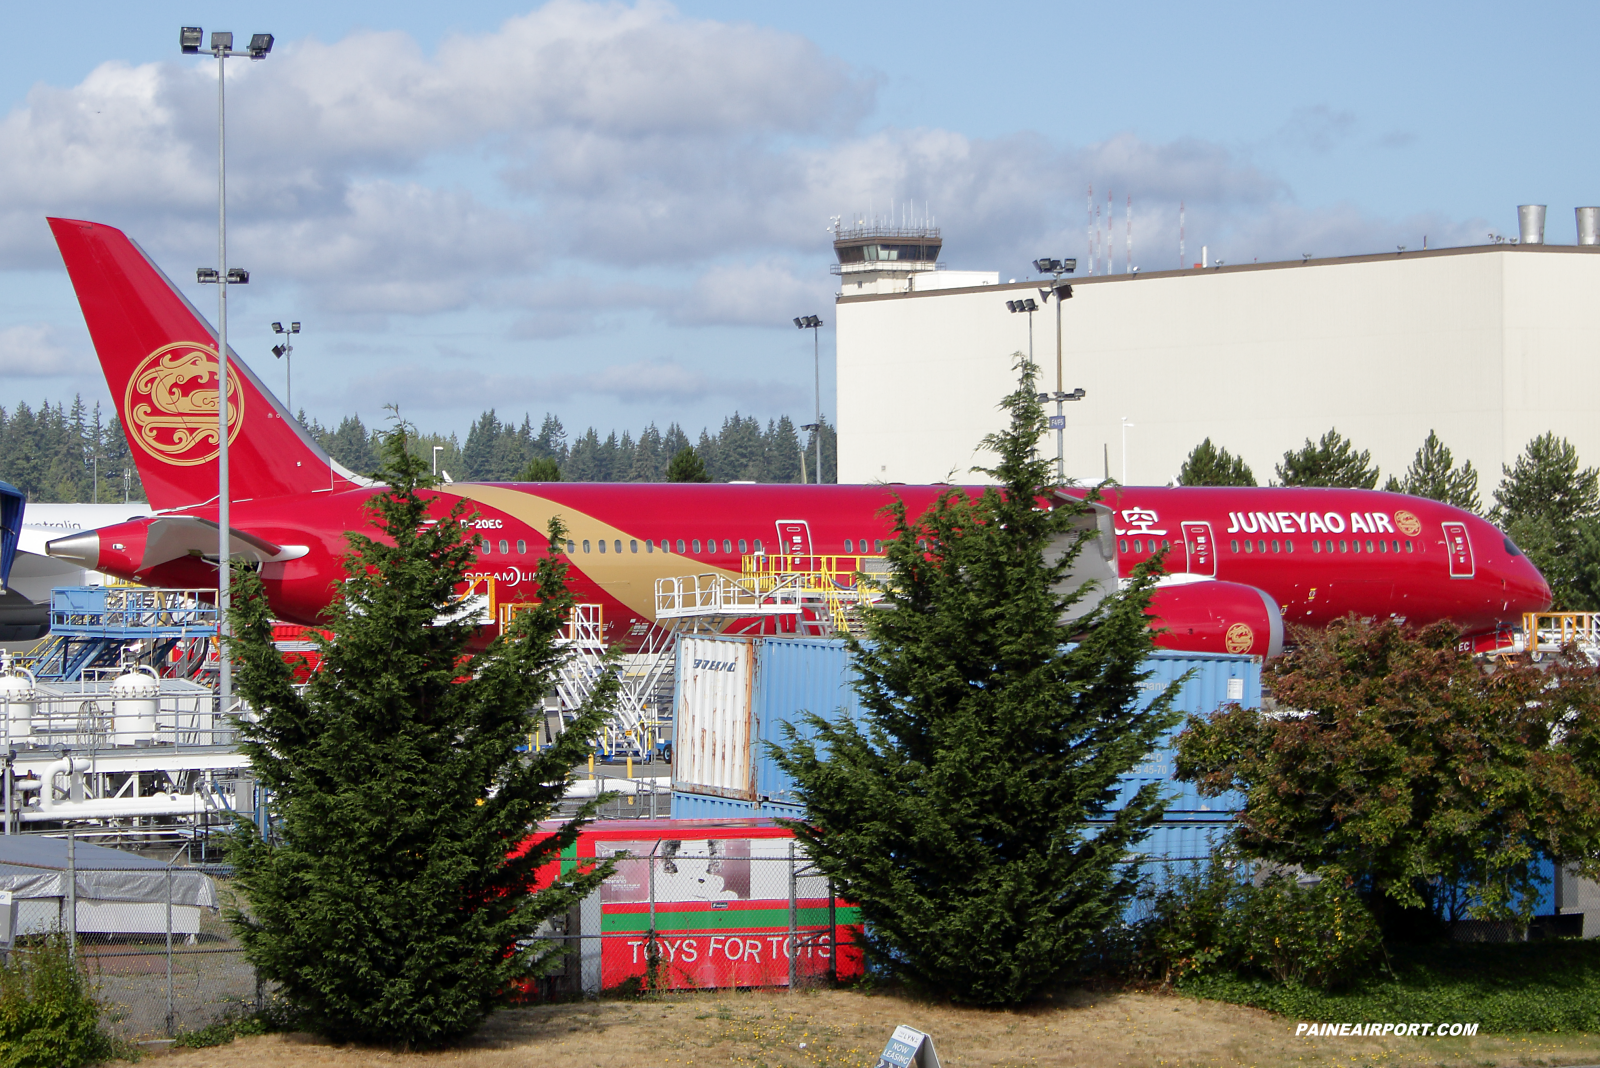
1551,508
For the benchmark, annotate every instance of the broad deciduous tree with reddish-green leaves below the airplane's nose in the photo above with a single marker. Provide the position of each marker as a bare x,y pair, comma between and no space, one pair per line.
1423,773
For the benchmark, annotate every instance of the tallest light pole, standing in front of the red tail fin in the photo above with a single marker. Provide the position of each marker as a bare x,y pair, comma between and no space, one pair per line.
225,277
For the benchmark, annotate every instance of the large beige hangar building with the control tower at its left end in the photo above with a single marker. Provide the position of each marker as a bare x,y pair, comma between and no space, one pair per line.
1490,346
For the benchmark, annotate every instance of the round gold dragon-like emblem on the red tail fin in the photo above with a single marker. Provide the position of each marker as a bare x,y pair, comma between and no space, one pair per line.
172,405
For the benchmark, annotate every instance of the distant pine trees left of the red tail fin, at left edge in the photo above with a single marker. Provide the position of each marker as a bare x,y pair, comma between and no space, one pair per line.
65,453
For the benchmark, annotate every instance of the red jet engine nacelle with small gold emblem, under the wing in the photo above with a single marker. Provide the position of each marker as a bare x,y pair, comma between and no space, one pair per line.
1215,616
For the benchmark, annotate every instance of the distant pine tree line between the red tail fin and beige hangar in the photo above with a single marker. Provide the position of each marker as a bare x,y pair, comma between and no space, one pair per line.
743,450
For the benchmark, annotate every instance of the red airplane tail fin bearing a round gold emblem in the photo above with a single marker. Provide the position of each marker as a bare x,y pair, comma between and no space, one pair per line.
159,356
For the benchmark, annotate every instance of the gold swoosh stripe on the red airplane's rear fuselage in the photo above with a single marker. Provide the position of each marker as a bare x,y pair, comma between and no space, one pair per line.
630,578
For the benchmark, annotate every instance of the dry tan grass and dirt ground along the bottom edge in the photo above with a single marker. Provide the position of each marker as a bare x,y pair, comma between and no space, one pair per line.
844,1029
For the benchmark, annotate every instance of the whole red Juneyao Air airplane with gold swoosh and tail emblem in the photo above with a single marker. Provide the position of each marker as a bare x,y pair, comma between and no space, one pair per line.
1241,562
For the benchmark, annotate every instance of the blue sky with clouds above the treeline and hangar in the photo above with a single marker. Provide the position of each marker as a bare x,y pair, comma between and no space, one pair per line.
612,212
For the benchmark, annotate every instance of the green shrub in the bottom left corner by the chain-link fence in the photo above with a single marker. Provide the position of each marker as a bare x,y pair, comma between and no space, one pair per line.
49,1014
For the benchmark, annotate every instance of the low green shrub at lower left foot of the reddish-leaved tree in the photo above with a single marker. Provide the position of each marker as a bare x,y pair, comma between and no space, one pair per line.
1220,922
